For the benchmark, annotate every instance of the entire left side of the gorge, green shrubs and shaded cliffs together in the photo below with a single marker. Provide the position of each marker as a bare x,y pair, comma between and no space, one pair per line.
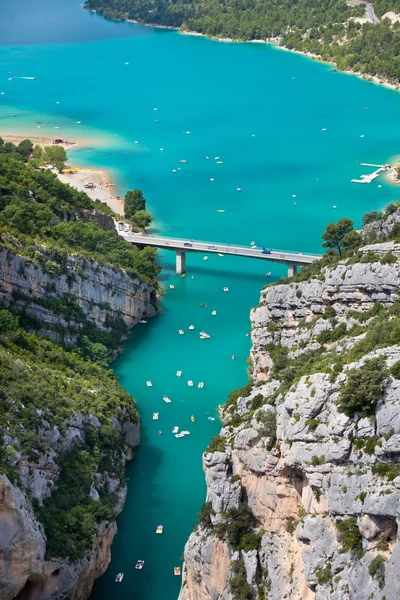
70,290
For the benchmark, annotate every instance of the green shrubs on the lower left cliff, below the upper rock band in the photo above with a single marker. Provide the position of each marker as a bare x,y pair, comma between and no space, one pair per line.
42,386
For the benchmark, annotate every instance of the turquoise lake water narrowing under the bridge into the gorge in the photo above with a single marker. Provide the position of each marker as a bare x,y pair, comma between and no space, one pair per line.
263,112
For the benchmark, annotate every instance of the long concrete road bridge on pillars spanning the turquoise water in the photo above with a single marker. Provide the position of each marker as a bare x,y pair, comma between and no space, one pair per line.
181,247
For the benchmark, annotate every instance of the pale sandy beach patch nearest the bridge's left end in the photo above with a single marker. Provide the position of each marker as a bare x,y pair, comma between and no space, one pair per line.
103,190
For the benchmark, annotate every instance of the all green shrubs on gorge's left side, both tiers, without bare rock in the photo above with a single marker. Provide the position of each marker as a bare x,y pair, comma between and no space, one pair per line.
45,385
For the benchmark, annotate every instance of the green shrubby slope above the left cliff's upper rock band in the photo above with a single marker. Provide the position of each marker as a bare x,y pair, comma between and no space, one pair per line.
36,207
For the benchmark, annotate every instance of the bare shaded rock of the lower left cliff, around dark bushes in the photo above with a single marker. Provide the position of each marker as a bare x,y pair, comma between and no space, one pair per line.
25,571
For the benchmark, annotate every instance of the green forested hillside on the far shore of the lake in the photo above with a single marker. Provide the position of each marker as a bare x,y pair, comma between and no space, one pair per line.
323,27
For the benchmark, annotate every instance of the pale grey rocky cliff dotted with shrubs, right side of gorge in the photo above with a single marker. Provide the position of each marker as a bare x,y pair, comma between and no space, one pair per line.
310,446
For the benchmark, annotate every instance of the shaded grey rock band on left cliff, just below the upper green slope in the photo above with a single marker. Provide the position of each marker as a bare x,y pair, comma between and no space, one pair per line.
102,292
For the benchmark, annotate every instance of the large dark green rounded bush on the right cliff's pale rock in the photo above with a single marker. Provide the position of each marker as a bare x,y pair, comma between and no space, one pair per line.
363,388
